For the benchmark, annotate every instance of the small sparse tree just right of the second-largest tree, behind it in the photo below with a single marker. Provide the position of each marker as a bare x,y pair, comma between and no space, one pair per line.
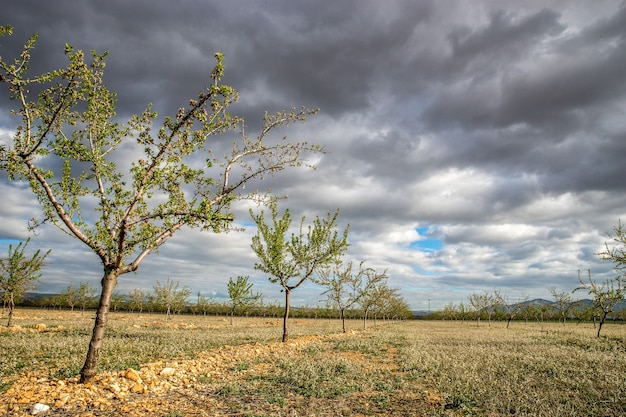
346,288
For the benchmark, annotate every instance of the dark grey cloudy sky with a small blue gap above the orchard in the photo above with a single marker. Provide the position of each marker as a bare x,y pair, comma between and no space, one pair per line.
473,145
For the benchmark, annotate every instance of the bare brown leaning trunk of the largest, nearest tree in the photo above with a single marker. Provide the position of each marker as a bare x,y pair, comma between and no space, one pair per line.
90,368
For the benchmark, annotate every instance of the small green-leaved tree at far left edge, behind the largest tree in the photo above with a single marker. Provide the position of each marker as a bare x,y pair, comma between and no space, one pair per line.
18,274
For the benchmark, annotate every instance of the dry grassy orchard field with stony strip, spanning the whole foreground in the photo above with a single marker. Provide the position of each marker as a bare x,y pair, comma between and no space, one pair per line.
203,366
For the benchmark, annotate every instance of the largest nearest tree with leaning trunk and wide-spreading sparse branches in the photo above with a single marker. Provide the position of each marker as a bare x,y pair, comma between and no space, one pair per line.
72,125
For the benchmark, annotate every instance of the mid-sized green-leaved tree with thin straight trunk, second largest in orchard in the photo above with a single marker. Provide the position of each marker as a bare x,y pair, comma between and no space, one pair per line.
291,262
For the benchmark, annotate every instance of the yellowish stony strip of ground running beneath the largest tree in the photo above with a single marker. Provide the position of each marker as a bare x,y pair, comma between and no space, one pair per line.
206,386
